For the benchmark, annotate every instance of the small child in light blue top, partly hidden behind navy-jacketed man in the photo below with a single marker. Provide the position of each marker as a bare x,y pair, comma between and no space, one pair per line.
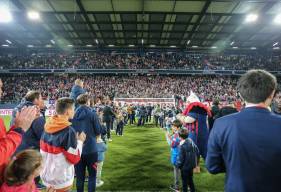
101,147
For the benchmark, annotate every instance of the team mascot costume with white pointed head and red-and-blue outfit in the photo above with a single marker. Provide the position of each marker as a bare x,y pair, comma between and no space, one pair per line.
195,117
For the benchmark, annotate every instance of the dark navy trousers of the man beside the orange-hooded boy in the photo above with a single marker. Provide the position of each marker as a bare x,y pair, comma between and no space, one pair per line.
88,161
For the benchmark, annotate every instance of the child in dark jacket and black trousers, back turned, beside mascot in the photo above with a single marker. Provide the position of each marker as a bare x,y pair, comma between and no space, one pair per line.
187,160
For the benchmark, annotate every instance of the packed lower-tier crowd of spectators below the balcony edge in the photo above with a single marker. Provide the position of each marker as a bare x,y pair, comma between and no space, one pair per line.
53,87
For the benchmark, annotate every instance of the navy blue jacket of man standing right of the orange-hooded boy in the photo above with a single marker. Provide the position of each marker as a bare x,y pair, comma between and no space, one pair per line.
86,120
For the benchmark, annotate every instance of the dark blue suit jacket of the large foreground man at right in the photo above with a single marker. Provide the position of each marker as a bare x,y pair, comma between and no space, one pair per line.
247,146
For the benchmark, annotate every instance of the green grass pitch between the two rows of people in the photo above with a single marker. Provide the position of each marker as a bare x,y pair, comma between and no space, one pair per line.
139,161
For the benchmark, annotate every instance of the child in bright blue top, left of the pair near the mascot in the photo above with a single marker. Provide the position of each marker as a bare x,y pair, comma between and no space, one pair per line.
174,141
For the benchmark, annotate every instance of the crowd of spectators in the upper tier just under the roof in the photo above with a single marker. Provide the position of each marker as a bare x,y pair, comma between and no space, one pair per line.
94,60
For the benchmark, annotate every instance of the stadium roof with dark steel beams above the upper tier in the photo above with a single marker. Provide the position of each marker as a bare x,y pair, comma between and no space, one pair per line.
147,23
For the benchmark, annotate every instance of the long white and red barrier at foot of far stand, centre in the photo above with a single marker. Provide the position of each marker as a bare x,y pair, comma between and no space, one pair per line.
144,101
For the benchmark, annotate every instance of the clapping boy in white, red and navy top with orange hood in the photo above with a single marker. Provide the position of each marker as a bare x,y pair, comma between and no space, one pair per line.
61,147
